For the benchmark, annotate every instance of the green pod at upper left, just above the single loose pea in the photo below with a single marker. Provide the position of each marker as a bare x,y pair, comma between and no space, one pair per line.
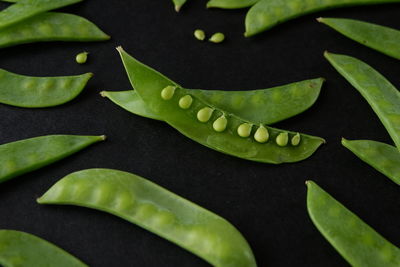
51,26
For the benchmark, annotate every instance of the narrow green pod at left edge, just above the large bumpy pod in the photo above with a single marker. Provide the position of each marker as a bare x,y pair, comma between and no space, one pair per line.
27,155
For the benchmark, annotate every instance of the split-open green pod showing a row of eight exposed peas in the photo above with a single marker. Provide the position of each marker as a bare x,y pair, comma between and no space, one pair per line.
198,121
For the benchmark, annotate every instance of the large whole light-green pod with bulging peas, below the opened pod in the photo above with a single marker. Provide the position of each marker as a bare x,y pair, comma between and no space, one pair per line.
156,209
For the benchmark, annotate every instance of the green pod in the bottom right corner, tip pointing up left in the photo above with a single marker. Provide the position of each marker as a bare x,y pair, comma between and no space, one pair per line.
356,241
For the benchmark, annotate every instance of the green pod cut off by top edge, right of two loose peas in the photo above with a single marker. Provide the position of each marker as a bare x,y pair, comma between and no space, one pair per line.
265,14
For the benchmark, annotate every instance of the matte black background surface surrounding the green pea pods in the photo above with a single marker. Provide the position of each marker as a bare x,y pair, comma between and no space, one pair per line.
265,202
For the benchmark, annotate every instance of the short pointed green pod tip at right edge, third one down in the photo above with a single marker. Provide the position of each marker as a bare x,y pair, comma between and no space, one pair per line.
383,157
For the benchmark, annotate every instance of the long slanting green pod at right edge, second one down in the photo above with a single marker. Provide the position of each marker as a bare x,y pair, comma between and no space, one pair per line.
382,96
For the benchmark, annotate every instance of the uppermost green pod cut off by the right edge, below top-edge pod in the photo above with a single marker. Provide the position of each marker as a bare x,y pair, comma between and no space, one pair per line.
383,39
